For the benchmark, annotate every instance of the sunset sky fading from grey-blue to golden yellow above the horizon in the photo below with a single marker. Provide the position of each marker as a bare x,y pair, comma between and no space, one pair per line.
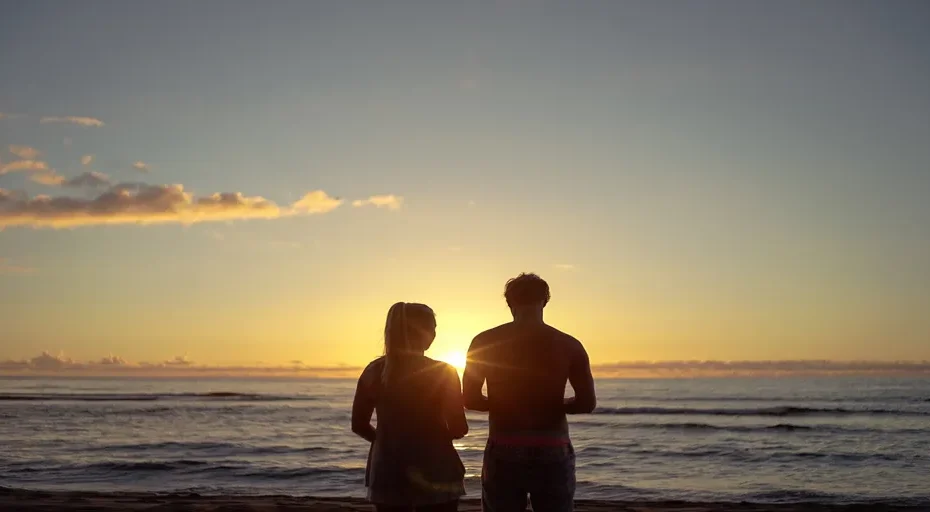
243,185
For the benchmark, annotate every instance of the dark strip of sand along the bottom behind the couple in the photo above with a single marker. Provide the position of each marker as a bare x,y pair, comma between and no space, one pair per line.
40,501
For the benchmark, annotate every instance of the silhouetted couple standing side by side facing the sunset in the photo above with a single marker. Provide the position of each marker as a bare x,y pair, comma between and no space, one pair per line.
420,405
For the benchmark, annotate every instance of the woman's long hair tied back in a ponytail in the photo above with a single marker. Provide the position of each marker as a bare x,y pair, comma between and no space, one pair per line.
407,331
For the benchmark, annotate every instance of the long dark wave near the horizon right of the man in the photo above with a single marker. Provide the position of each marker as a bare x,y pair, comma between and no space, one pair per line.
763,411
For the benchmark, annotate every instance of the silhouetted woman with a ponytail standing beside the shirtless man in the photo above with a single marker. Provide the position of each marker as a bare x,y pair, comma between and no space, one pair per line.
412,464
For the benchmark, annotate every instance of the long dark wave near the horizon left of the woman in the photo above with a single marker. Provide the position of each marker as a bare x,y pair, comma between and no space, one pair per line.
149,397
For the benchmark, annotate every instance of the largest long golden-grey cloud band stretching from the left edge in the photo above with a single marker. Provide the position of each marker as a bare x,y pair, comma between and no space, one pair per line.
138,203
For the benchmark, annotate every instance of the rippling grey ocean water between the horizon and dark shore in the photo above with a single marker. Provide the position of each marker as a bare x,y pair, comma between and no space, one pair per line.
823,440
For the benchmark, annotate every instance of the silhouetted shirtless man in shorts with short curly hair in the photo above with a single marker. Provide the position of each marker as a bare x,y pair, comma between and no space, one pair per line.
526,365
